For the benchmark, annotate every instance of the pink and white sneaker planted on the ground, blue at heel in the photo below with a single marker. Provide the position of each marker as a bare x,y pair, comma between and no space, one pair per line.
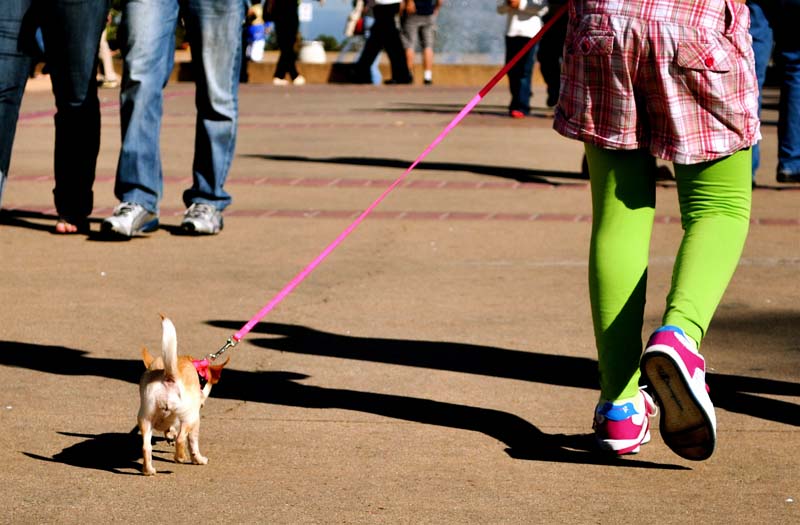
622,426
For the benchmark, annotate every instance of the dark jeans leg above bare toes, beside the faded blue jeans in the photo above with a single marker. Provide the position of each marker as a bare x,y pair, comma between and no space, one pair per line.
72,30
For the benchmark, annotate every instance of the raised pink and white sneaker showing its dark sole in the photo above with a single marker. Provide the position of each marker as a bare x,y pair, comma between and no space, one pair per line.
676,374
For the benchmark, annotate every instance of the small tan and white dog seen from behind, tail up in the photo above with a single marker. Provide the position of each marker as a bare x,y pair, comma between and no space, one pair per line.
172,391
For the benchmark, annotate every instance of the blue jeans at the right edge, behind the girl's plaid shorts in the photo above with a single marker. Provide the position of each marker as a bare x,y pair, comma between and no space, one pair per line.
776,21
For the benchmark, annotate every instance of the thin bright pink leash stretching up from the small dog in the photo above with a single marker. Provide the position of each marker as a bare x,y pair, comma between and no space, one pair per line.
300,277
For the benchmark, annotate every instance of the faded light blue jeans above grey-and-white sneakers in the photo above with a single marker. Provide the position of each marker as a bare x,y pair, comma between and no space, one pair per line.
147,38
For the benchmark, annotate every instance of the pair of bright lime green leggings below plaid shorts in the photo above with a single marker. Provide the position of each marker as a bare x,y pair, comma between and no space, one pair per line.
715,215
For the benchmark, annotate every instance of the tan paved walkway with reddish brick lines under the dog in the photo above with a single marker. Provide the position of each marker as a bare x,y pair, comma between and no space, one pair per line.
438,367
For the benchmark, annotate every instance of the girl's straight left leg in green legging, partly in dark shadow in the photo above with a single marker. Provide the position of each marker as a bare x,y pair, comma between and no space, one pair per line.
623,208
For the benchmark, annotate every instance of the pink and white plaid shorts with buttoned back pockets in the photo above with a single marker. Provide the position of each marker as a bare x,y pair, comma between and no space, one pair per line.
676,77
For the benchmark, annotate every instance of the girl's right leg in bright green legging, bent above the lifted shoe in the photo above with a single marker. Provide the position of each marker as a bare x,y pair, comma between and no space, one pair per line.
715,213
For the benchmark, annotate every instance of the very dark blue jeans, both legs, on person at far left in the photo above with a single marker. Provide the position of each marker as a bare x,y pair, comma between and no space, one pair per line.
71,30
